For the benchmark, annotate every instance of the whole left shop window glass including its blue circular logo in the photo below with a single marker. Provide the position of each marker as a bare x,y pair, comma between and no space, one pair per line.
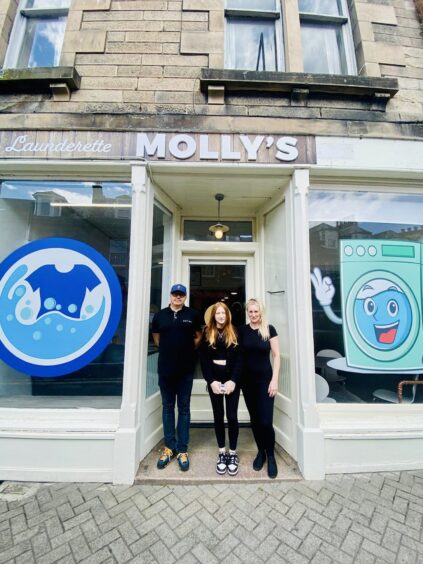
90,216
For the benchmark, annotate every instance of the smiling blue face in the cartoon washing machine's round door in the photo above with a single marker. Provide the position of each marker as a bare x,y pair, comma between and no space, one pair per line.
383,314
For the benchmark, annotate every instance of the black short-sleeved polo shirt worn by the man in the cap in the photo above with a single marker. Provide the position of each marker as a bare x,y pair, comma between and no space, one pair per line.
177,330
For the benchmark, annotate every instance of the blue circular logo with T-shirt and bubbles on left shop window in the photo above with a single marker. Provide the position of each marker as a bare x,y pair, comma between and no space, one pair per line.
60,305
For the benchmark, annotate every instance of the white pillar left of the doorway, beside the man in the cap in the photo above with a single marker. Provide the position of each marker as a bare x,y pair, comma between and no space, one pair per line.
129,435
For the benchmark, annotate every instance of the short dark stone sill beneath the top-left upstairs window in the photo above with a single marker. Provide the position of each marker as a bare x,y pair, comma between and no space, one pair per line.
59,81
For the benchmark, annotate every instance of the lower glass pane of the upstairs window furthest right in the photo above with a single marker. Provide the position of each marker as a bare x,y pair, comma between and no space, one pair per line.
323,50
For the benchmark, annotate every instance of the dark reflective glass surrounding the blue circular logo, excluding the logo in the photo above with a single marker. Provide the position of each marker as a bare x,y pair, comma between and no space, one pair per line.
32,210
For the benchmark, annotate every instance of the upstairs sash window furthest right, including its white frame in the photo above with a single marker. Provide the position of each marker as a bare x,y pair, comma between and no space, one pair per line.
326,37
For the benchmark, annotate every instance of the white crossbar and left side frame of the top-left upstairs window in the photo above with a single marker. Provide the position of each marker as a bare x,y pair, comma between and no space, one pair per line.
19,29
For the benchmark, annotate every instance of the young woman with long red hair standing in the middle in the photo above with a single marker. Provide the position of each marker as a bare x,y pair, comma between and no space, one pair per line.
221,365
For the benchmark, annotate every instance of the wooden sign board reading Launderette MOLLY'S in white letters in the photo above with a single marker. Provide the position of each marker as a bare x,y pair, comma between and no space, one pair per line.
159,146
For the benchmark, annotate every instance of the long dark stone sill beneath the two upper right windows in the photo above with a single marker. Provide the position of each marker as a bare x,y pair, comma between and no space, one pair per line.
216,82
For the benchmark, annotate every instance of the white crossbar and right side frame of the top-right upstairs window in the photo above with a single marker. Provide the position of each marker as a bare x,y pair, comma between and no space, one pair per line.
344,22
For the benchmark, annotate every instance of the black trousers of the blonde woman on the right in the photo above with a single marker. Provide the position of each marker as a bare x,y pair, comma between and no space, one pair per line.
260,408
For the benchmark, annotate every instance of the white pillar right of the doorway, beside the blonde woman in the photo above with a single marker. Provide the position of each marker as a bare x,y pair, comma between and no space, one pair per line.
309,434
